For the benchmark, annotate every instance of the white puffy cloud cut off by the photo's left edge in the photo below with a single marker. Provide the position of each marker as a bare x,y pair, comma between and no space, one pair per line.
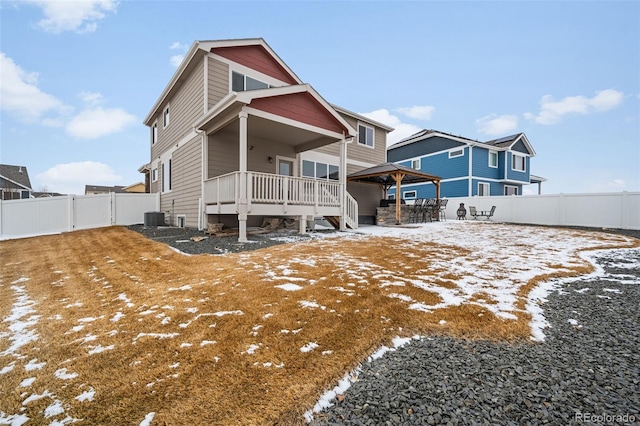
20,95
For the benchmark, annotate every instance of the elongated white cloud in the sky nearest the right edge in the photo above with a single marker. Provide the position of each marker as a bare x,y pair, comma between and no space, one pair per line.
552,111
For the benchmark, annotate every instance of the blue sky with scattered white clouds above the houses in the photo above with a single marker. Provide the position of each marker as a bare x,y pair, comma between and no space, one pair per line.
78,78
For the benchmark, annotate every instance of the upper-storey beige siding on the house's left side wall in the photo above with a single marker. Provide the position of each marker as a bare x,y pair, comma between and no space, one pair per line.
186,106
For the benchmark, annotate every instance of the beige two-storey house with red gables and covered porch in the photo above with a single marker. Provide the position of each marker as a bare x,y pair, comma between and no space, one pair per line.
236,136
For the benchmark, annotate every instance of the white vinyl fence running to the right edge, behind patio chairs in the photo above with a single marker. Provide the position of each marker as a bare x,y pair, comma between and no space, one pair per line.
620,210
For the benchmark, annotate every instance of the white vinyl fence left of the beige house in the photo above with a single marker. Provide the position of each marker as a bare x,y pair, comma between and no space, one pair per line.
42,216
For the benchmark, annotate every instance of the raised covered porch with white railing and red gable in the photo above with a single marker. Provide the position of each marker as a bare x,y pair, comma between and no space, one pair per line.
251,143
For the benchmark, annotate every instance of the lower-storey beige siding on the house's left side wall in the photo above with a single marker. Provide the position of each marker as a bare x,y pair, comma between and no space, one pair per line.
186,177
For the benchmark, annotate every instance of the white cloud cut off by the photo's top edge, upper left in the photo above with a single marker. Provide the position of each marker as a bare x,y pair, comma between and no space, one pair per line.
79,16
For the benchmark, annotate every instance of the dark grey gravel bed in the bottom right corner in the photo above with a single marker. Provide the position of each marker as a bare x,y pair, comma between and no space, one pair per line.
586,371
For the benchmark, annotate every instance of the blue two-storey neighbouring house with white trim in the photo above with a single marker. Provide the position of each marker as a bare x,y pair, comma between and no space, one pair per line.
467,167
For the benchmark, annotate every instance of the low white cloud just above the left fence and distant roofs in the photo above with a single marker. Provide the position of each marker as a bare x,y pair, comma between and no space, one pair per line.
70,178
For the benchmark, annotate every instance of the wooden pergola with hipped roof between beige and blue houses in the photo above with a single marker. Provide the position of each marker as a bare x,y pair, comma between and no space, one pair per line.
391,174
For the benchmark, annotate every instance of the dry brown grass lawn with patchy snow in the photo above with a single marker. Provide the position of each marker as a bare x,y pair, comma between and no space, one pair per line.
112,288
